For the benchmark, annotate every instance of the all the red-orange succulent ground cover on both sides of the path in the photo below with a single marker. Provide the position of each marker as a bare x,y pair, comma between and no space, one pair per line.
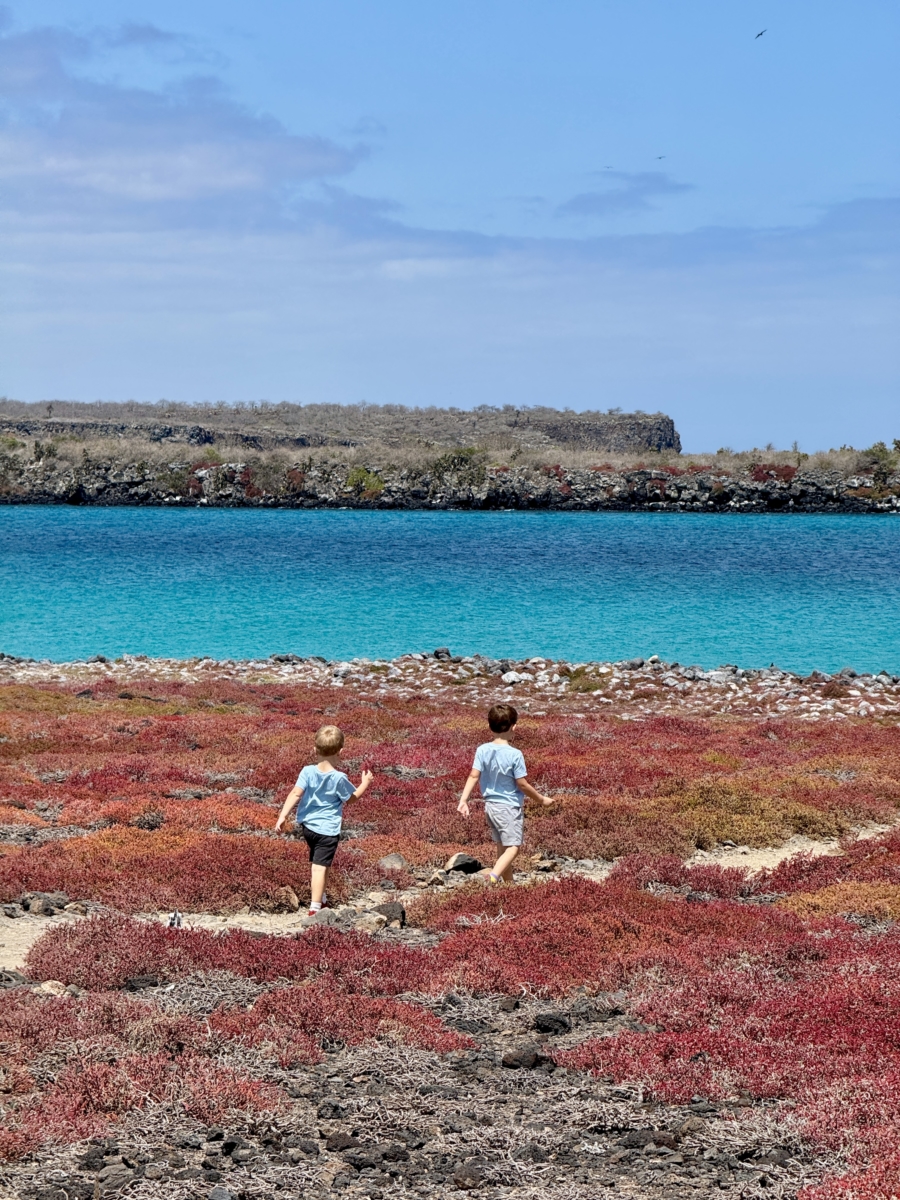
760,986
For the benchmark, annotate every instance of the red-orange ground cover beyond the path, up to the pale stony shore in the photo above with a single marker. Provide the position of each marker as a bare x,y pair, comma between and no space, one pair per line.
176,784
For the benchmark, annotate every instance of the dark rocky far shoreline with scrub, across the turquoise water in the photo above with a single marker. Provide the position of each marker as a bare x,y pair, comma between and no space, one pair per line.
458,481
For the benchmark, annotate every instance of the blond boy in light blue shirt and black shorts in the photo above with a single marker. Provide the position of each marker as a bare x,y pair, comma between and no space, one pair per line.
322,793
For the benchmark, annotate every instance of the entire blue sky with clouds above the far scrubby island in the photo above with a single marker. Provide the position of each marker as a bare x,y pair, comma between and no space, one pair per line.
591,205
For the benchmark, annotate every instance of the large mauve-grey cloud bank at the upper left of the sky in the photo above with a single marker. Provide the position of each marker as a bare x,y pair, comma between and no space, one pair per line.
71,145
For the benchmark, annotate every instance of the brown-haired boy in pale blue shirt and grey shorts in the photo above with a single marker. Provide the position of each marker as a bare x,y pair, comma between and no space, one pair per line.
501,773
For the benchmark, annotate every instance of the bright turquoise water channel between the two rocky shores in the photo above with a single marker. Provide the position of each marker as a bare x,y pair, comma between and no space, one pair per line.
803,592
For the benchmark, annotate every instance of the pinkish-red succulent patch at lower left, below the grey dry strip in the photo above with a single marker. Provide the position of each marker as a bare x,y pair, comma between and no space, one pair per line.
112,1055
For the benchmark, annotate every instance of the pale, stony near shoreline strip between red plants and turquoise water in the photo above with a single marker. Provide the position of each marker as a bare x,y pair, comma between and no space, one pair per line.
632,691
